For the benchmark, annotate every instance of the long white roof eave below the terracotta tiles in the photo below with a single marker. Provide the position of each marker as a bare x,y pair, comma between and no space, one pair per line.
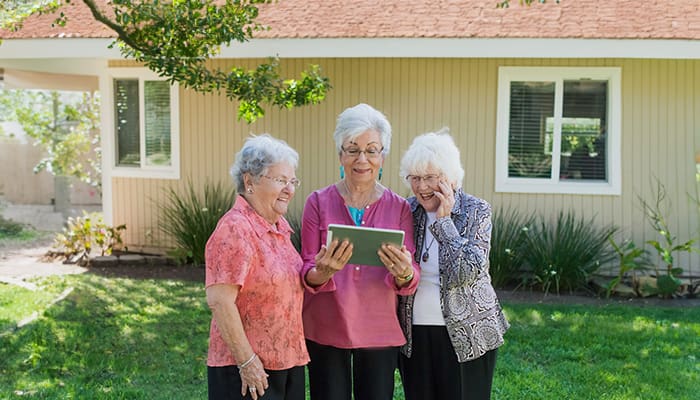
98,48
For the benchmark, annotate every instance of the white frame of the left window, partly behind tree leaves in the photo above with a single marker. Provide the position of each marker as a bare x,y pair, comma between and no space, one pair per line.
143,171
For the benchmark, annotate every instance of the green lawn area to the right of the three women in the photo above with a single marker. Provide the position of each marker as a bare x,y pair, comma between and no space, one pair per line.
605,352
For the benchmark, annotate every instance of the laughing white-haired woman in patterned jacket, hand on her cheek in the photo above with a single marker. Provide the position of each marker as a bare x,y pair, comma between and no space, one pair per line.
454,322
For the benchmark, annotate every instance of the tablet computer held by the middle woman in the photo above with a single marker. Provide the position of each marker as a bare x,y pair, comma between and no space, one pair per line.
366,241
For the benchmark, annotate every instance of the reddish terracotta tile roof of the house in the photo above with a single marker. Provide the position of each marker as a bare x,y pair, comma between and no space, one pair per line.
613,19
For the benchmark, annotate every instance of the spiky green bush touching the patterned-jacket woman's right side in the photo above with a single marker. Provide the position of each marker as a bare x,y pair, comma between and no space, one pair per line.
507,245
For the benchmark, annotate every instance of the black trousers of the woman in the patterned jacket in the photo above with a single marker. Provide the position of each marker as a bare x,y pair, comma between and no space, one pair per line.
433,372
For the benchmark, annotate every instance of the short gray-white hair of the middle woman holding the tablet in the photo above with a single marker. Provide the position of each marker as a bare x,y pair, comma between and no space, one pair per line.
356,120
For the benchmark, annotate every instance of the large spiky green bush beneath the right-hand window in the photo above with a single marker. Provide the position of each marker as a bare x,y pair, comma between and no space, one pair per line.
565,255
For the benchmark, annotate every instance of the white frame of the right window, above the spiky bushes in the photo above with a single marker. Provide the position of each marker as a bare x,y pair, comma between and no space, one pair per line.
558,75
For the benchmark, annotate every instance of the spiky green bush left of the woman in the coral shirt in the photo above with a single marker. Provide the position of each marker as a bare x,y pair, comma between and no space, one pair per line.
190,219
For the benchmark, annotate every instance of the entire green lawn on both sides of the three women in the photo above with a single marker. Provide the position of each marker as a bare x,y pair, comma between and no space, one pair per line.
131,339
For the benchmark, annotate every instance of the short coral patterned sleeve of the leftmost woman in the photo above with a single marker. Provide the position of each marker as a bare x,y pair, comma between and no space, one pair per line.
228,254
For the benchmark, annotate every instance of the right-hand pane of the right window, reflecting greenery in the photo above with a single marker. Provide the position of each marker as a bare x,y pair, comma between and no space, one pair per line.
583,131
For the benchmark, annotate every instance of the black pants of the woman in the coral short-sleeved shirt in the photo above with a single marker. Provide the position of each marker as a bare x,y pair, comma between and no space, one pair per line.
225,384
